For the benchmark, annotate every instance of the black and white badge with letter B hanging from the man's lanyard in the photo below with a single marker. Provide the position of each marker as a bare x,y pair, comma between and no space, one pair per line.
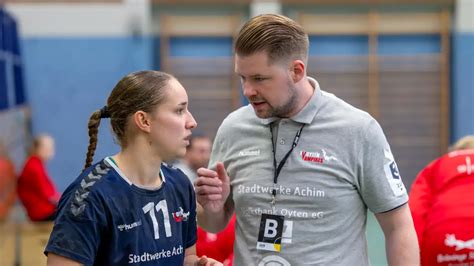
270,232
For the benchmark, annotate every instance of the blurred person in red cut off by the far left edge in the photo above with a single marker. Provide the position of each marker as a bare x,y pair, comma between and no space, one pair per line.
7,183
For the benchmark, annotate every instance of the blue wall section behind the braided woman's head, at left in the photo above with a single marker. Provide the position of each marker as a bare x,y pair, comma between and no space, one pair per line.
66,80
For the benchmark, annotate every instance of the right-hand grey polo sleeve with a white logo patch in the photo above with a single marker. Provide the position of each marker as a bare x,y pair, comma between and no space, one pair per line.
380,183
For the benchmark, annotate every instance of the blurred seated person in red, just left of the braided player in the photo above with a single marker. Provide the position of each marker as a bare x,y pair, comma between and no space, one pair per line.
35,188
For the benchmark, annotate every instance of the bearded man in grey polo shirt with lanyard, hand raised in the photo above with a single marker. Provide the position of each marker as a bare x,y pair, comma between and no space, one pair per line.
298,165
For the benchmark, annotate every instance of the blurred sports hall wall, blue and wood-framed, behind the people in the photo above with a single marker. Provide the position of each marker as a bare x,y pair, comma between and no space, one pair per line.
410,63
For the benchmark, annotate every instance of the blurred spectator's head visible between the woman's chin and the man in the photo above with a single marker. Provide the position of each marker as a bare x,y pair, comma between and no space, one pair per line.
197,155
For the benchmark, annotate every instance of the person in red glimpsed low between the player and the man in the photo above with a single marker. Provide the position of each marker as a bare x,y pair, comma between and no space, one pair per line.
219,246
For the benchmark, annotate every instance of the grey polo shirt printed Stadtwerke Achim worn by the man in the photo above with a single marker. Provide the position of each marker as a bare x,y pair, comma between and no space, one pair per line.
341,166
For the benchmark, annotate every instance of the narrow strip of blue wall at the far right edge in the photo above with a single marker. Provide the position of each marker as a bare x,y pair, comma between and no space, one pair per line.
462,97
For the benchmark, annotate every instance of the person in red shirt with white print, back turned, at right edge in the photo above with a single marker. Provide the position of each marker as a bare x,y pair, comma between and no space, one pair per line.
442,206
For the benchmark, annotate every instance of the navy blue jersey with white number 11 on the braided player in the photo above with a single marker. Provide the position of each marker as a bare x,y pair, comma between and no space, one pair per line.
104,219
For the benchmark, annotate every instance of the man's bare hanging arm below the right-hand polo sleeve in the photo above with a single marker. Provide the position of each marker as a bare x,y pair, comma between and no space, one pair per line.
401,243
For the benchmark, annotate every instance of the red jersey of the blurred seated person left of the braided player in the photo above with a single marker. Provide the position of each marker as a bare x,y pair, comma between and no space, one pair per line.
36,190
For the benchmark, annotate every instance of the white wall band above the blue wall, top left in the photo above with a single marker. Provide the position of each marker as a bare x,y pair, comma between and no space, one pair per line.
131,17
